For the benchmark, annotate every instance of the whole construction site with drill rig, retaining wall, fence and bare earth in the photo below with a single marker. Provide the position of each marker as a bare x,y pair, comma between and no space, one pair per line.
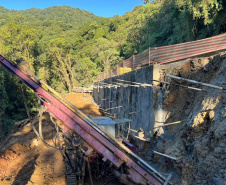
156,118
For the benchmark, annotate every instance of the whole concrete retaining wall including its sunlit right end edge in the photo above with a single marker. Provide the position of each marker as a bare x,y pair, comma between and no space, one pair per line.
144,105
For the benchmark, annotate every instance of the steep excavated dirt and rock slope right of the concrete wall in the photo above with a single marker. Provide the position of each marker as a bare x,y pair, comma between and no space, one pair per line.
199,141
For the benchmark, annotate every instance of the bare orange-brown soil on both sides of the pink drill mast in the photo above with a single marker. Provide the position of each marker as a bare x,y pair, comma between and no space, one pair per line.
24,159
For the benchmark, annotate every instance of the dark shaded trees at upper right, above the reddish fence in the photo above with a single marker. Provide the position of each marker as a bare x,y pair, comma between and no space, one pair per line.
177,21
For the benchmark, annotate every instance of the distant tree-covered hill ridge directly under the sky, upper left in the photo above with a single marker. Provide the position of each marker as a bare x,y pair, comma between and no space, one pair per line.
37,17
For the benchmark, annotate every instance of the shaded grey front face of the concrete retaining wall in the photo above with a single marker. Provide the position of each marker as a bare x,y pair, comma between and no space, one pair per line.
137,102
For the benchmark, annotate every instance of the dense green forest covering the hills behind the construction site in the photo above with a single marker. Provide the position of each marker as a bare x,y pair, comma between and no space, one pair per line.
67,47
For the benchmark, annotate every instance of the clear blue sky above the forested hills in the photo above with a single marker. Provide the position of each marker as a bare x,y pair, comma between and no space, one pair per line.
105,8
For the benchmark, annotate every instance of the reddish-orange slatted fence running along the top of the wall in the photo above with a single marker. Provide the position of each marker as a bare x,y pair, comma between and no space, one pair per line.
166,54
